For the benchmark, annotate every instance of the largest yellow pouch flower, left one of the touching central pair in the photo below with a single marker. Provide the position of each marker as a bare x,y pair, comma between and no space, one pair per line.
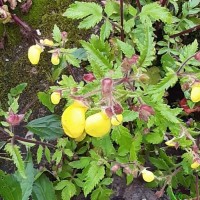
73,119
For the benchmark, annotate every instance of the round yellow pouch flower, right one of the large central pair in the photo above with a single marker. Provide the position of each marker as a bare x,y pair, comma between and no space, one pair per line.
98,125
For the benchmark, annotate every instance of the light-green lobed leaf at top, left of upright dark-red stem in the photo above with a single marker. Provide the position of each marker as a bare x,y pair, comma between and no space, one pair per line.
90,13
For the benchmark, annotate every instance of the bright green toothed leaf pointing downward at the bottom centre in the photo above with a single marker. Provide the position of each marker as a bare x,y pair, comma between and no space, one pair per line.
94,176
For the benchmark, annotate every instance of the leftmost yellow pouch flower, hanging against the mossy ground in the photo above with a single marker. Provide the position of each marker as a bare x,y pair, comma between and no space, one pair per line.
34,54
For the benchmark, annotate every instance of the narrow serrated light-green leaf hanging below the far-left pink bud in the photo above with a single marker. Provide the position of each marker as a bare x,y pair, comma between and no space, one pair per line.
15,153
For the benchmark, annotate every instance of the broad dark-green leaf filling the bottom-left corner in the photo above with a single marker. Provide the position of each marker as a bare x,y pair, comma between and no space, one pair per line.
10,187
